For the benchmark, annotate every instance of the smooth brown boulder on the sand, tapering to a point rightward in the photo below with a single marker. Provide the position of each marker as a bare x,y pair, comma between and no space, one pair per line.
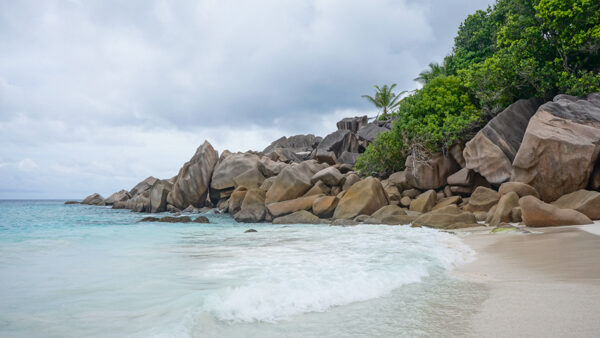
536,213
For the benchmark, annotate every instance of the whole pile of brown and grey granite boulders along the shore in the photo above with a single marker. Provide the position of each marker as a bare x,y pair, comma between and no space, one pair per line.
533,163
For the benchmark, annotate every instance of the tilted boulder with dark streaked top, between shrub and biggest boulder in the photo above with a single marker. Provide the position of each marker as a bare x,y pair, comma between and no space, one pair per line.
494,147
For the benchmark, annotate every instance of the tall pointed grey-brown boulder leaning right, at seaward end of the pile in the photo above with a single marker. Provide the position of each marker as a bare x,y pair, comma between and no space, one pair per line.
193,180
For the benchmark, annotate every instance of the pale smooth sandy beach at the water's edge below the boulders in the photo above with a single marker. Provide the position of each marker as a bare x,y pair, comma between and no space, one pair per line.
543,282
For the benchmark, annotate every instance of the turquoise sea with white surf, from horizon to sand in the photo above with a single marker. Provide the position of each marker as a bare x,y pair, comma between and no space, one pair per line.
86,271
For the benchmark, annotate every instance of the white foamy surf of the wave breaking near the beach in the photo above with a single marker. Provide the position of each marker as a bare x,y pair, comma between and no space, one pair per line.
352,265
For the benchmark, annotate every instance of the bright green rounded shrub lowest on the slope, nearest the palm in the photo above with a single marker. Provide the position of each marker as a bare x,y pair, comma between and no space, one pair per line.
433,118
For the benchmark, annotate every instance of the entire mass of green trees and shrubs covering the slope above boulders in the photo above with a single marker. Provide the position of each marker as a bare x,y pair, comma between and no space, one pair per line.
514,49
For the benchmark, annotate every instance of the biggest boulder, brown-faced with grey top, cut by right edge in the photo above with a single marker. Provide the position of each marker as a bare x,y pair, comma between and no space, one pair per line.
560,147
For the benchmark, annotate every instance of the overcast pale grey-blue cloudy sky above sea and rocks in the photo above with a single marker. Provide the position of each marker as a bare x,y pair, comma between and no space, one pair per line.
95,96
